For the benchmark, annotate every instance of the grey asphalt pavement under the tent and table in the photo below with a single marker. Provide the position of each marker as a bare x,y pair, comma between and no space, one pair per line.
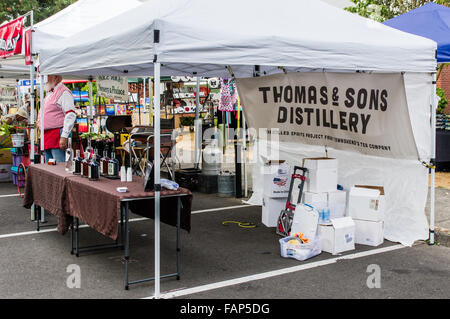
217,261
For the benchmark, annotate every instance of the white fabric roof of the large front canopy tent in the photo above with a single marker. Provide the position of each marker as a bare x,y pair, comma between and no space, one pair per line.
201,36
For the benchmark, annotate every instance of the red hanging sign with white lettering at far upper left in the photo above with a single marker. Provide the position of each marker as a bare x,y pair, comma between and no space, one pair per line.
11,38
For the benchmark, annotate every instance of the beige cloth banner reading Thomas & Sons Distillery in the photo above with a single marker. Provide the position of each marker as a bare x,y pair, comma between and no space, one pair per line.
365,113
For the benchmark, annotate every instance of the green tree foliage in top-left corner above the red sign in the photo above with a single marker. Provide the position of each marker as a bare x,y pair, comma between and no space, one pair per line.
42,9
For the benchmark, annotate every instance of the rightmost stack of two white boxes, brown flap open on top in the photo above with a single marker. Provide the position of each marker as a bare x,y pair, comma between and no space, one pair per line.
366,207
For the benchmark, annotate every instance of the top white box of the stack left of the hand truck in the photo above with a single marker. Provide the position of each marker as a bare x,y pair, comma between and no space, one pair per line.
277,179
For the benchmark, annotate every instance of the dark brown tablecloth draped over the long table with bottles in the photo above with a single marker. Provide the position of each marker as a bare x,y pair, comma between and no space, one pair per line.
97,203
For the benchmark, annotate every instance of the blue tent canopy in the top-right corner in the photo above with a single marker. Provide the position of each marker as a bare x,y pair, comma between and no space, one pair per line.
430,21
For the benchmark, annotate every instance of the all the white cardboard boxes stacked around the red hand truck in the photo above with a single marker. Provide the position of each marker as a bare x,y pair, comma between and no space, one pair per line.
364,221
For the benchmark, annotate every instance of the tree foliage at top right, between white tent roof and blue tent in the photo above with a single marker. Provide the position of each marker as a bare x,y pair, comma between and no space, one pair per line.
382,10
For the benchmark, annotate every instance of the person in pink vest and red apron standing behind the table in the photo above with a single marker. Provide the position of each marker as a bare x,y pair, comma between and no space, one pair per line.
59,118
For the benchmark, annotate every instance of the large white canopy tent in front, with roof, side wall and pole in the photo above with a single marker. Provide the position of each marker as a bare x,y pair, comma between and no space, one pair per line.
199,37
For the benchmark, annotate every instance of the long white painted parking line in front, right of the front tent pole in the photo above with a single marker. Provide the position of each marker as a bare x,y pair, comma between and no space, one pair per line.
273,273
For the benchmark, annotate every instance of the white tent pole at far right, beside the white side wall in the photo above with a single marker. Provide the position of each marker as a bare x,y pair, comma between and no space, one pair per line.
433,158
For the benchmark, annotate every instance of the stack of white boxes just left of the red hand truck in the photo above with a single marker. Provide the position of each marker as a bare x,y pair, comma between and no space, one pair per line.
277,179
